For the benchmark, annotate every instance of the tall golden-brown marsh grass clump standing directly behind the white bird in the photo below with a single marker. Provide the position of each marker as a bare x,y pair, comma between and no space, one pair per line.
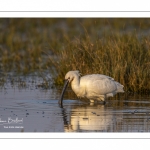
125,57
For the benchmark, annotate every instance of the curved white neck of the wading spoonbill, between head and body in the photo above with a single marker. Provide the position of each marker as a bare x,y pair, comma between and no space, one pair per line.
75,84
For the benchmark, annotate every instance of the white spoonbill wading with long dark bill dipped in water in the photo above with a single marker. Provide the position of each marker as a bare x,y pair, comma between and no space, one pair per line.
95,87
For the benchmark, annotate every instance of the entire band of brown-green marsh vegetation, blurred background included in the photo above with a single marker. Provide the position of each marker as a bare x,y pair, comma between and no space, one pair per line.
119,48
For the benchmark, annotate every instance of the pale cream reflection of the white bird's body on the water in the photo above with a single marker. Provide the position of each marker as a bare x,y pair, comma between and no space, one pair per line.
89,118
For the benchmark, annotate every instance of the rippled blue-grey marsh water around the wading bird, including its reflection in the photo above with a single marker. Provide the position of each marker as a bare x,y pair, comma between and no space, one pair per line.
32,108
